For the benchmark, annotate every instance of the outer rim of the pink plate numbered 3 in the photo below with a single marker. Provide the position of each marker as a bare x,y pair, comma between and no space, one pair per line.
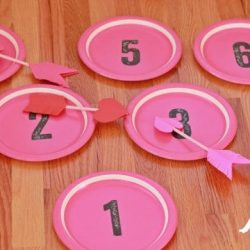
170,155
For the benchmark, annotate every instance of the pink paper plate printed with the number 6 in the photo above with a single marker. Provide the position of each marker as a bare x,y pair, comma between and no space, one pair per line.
223,49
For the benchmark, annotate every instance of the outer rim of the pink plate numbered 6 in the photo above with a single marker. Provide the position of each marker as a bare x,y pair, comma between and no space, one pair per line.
203,62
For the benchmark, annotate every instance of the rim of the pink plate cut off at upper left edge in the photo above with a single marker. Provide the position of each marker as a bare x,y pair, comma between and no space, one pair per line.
14,67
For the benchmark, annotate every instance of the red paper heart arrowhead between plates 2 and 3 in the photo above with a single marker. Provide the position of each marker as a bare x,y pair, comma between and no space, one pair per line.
109,110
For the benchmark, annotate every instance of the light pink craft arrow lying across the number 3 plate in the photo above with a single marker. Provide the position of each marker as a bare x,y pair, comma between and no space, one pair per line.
222,160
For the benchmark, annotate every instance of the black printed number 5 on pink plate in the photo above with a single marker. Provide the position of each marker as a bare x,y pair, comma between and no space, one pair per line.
126,49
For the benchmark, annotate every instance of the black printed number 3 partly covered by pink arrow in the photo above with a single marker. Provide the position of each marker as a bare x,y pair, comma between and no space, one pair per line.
184,120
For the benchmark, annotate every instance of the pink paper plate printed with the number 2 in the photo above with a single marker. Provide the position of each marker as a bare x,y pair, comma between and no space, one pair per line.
31,137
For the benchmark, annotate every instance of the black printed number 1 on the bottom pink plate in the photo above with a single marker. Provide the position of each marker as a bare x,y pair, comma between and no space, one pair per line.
115,218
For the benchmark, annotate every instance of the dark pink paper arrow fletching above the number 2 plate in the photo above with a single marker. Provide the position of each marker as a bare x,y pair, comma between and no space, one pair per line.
52,72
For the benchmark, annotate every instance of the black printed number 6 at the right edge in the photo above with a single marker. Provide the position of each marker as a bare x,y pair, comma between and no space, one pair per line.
242,57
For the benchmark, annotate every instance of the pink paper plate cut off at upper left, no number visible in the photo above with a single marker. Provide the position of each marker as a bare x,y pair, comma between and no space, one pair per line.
13,46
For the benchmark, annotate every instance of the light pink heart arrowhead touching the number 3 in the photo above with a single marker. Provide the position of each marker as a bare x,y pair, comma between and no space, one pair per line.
166,125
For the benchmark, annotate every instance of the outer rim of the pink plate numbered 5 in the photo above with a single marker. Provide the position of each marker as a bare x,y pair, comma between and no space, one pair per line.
152,74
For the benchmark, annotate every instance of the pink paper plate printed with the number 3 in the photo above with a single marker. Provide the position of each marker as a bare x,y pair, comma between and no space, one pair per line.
205,115
